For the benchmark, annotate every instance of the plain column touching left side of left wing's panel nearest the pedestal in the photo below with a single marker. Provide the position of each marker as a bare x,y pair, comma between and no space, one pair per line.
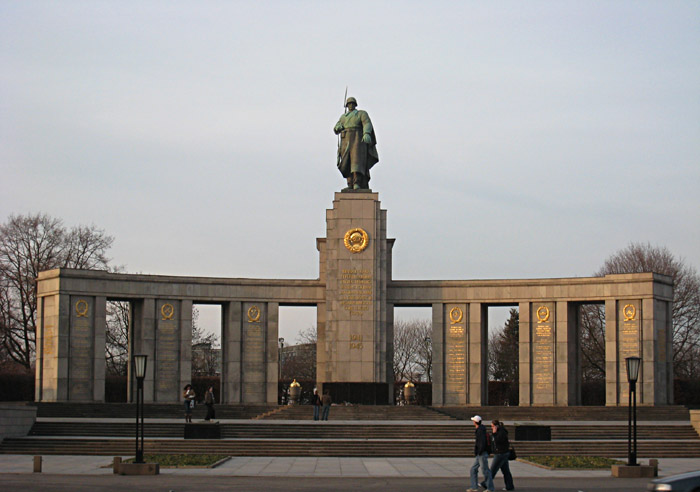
231,352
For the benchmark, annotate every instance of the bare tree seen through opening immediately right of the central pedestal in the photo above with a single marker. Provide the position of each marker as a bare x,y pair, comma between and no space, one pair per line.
412,349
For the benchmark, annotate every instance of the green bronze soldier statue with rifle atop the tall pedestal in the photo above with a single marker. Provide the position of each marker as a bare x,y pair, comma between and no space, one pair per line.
357,151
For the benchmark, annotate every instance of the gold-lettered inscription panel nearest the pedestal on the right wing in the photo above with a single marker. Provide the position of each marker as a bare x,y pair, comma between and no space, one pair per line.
455,346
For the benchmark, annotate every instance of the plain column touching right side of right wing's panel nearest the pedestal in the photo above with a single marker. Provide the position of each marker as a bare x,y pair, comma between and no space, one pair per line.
477,370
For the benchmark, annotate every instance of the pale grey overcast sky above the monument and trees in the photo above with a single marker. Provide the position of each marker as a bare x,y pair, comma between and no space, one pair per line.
516,139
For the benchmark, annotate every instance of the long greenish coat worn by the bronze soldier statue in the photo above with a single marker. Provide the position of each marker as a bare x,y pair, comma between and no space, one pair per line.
355,156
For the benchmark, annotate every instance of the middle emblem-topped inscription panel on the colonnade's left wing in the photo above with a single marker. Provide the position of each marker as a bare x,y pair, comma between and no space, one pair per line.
167,363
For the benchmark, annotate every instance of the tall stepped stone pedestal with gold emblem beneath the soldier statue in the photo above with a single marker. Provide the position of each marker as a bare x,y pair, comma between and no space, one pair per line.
355,333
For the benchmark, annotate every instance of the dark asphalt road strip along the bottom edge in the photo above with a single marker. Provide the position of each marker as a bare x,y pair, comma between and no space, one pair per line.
174,483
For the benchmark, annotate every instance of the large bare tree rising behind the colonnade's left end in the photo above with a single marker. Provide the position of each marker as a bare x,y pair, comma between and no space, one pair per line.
30,244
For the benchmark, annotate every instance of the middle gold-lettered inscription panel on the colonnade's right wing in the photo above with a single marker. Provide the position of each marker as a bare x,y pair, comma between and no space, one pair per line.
542,325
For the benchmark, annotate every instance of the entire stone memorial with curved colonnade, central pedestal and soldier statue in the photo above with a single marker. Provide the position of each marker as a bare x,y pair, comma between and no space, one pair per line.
355,297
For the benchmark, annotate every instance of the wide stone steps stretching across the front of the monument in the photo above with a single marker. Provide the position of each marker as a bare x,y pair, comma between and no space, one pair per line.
355,431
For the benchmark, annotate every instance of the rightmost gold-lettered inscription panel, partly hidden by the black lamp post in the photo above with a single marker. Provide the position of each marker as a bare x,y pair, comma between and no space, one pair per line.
629,341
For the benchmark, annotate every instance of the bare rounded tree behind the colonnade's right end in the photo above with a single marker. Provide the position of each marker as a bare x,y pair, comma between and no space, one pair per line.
639,258
